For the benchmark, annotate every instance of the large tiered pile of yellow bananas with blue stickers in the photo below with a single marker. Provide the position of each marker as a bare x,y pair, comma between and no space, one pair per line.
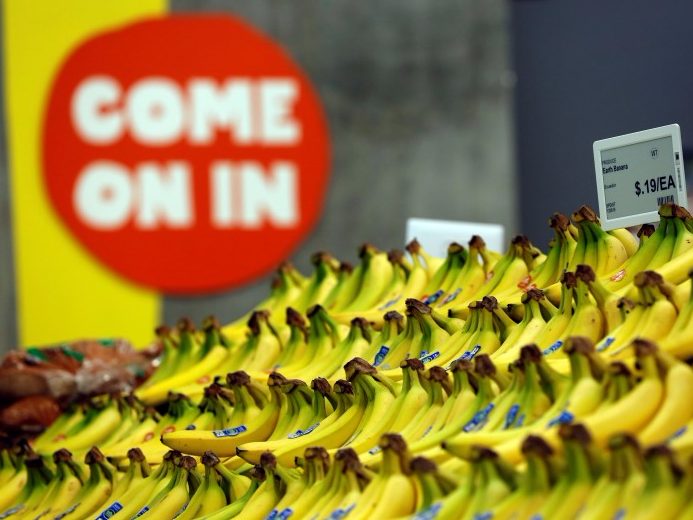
482,385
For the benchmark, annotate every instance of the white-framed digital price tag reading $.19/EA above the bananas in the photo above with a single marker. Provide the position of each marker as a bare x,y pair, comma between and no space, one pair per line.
637,173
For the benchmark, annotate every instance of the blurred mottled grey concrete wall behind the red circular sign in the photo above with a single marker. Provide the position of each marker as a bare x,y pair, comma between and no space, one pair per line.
419,101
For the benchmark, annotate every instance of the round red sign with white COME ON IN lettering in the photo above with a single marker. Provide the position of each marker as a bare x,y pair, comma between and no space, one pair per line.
188,153
